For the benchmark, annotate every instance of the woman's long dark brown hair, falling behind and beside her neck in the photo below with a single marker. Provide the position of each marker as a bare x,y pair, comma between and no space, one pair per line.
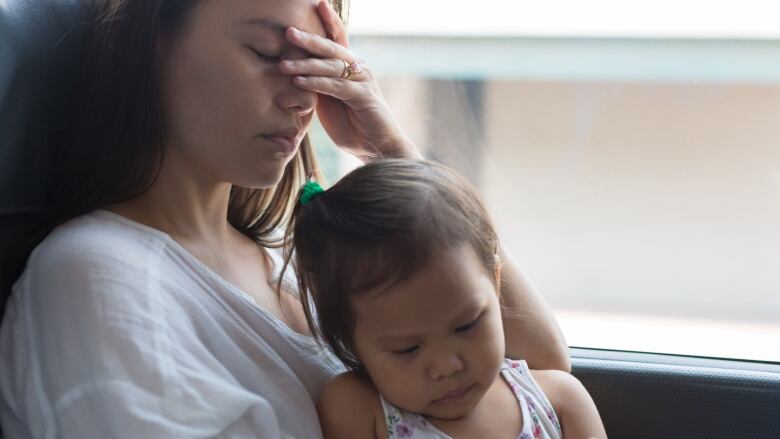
109,143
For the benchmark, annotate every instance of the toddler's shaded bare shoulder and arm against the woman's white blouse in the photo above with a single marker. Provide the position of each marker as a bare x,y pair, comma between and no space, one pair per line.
349,407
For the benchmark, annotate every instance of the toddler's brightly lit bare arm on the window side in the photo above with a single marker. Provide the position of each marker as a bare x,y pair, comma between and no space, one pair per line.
575,408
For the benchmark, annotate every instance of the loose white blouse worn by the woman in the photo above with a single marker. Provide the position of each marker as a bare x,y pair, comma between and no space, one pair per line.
114,330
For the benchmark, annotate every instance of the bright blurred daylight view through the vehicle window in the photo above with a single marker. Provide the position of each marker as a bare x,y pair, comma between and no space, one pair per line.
628,151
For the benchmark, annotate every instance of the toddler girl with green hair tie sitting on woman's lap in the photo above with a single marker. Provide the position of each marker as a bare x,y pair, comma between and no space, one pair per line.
399,272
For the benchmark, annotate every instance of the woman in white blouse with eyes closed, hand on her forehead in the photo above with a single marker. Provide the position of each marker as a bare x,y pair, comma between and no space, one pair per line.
150,311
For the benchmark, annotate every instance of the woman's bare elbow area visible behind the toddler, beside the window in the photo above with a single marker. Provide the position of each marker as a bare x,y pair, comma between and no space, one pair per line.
530,328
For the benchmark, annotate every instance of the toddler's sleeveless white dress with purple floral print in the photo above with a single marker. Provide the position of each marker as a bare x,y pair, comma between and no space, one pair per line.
539,418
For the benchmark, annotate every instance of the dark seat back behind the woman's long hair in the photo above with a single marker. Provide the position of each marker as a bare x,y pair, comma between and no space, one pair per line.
38,60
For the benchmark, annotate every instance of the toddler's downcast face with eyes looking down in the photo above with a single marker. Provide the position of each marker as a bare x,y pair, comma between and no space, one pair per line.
433,344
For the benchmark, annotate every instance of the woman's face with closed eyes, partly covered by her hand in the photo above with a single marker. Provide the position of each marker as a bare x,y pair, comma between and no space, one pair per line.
231,116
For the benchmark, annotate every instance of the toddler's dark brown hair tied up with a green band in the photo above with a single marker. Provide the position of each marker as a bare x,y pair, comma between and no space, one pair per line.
375,227
